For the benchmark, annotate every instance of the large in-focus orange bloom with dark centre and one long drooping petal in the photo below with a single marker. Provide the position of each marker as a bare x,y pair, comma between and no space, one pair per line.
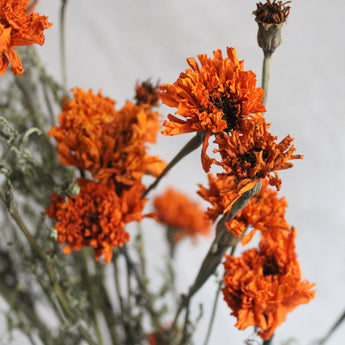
214,97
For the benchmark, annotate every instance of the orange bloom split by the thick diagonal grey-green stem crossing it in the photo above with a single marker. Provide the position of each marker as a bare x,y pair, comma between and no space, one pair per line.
264,211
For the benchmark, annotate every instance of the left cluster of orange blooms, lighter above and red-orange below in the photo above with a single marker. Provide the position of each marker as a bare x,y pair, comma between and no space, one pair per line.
112,145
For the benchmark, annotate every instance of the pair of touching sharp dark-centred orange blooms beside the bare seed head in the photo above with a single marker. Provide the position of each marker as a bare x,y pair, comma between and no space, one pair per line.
220,98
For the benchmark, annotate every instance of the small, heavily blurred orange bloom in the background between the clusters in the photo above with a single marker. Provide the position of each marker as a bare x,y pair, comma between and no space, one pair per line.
177,211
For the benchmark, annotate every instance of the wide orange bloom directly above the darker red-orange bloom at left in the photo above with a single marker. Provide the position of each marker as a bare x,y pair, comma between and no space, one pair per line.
111,144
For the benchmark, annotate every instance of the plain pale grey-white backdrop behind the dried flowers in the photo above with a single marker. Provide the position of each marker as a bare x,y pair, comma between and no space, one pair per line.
112,44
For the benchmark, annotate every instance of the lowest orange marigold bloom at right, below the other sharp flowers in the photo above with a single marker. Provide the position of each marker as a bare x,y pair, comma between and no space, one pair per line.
262,287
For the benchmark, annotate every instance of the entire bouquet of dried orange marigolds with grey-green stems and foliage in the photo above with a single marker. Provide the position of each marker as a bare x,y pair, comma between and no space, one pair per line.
71,183
